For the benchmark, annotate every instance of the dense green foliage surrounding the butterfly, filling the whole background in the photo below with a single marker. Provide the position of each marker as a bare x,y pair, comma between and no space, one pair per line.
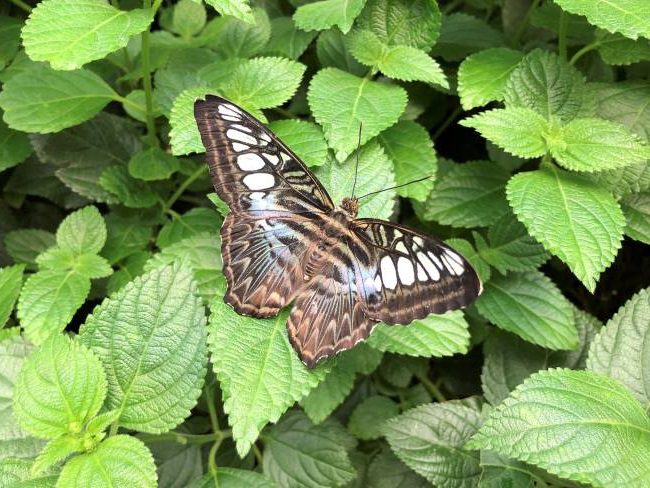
527,125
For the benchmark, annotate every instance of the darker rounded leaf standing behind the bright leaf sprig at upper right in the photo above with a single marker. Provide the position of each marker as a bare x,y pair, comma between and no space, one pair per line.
547,84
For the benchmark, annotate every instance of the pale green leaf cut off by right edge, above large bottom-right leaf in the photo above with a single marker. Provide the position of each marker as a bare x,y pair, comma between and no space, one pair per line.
621,349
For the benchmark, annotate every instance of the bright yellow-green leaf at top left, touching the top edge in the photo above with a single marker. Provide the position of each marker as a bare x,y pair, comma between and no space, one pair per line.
70,34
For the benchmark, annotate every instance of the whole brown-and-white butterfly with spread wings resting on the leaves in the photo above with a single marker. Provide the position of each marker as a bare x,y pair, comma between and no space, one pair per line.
284,241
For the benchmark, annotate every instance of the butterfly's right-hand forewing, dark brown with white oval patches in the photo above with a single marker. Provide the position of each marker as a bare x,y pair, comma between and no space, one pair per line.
409,275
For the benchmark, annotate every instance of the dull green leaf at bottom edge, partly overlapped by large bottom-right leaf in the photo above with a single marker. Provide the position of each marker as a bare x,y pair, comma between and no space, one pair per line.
429,439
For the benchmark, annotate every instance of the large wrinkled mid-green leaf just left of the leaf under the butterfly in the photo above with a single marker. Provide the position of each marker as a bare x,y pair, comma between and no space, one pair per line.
156,373
